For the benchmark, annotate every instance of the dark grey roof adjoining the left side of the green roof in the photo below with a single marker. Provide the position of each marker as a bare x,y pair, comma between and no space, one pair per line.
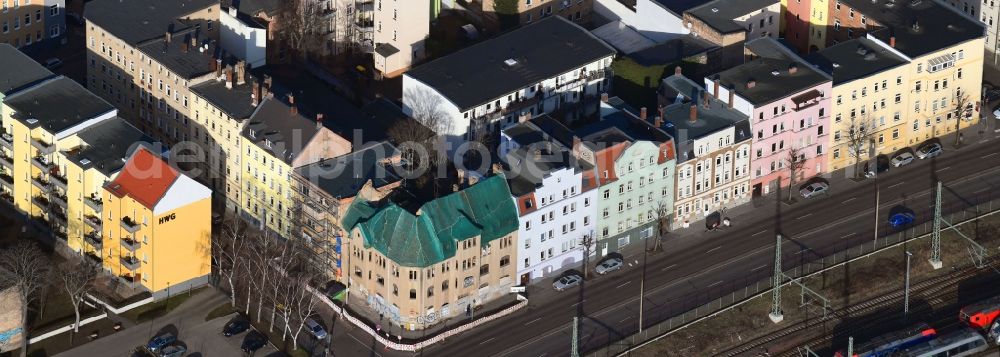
343,176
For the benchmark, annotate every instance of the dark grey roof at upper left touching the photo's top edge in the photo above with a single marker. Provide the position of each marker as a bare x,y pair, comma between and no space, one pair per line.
134,21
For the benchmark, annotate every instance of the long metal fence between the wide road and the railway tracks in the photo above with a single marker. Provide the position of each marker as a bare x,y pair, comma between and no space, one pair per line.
962,213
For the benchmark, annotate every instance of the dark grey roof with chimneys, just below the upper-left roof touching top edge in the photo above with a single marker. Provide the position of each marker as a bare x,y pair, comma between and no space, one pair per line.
188,63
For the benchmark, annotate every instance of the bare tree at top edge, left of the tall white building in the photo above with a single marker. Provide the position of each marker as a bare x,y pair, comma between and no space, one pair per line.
301,25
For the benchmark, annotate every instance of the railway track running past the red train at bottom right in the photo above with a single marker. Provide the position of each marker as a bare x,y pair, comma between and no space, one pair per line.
929,289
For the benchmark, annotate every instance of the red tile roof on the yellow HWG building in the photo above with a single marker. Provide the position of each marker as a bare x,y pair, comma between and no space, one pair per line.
145,178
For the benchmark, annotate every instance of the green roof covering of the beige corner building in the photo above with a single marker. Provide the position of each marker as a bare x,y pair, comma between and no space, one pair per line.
485,210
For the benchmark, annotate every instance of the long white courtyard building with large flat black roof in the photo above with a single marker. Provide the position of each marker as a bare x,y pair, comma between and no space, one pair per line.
547,66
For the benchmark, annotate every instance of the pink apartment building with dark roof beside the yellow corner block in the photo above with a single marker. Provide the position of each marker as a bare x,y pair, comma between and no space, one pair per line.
788,102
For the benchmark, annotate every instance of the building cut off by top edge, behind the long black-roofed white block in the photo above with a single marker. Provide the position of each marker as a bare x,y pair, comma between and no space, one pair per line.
529,11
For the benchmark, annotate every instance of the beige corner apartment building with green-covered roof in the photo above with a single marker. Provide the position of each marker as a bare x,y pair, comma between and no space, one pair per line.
419,264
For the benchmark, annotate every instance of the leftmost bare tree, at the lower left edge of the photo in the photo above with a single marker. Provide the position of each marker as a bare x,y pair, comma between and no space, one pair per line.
25,268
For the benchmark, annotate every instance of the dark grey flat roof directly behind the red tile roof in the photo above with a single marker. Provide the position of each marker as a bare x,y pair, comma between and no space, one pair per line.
107,144
